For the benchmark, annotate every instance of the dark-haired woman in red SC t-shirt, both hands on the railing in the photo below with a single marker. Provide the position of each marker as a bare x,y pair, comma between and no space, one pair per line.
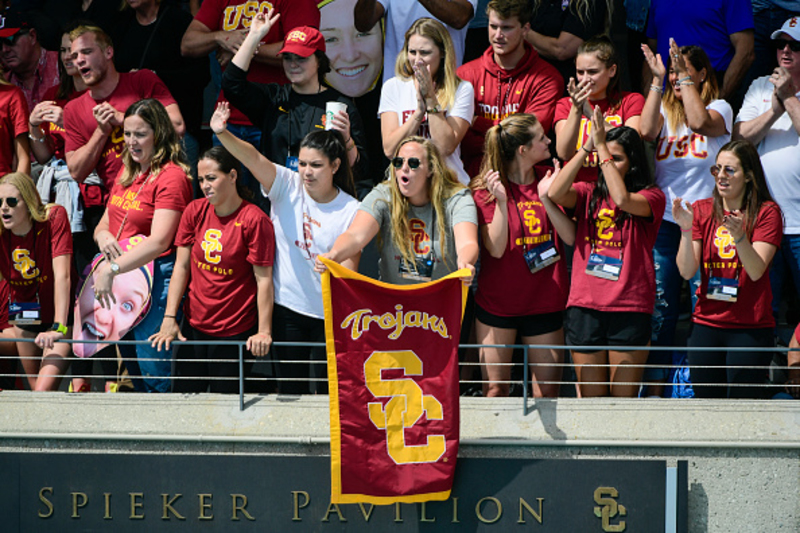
218,238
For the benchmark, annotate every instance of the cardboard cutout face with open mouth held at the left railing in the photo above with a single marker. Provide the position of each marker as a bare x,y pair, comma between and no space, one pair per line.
132,291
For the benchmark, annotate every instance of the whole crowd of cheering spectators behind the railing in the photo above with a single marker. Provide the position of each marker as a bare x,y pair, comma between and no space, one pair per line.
279,117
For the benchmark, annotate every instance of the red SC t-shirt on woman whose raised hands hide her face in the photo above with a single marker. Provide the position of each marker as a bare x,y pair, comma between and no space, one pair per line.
635,290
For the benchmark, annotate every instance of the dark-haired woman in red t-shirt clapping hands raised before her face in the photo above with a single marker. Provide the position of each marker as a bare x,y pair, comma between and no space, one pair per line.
613,276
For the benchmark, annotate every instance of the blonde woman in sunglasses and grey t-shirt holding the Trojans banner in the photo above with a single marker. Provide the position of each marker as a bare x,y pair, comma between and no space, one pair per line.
427,221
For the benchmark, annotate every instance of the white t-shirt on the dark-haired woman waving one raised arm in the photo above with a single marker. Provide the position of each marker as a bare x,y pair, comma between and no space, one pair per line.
303,230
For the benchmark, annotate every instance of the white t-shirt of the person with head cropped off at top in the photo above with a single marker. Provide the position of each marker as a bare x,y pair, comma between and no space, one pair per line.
400,15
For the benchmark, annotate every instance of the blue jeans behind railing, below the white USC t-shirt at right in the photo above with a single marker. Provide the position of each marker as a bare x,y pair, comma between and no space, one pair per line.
668,297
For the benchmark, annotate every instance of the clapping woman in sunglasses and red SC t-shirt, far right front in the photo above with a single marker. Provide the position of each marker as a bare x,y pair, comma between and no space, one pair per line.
731,238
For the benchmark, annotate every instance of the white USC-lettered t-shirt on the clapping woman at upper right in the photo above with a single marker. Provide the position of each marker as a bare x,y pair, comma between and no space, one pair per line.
684,159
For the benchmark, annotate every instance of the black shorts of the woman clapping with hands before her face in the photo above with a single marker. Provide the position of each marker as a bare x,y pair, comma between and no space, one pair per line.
588,327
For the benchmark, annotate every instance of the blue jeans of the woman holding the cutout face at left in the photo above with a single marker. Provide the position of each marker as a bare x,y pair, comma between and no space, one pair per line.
150,369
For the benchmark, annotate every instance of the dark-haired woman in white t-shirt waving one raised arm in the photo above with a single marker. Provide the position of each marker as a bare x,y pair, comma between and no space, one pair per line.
309,209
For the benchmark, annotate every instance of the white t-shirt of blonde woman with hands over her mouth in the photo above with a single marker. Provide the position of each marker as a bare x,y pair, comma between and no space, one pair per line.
400,96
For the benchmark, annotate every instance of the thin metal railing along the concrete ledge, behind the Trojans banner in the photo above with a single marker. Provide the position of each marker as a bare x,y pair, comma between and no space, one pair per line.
524,383
